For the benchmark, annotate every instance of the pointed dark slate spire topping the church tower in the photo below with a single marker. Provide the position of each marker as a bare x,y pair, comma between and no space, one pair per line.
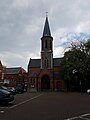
46,31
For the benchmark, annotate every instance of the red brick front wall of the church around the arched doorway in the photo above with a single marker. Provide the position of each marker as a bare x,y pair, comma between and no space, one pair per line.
49,73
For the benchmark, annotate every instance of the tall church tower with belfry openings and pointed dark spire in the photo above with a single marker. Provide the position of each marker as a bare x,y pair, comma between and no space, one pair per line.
46,47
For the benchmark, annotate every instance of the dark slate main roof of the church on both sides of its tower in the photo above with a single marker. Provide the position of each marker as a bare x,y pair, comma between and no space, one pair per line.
37,62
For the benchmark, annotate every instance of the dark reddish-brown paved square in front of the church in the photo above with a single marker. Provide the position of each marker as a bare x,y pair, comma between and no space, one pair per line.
48,106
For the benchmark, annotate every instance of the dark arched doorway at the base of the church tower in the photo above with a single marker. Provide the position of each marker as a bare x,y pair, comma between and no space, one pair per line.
45,83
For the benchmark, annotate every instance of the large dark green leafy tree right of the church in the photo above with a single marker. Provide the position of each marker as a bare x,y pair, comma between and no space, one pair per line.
75,68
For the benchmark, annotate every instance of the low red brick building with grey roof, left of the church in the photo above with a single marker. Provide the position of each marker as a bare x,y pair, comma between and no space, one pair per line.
13,76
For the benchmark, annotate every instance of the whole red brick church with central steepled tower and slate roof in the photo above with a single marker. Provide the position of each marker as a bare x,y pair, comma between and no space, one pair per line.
44,73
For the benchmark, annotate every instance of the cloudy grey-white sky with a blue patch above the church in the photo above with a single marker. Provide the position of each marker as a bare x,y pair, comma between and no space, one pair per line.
22,22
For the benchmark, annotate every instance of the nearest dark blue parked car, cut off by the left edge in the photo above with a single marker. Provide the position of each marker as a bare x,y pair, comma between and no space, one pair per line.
5,96
